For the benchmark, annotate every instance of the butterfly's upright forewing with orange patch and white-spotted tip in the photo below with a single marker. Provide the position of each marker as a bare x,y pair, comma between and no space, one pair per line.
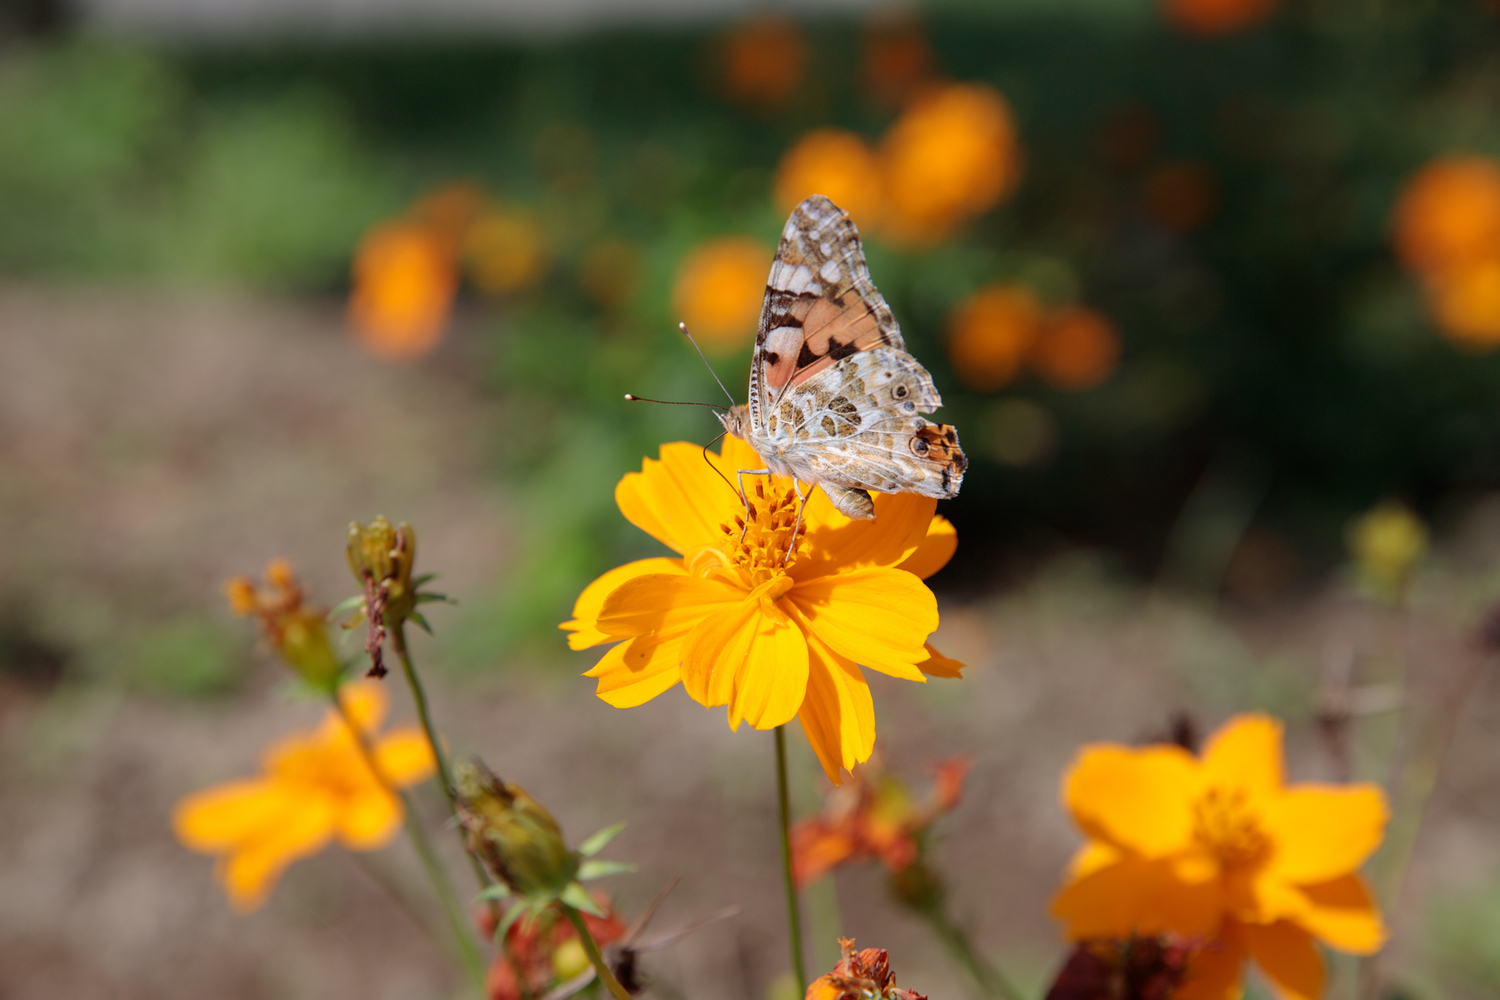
820,310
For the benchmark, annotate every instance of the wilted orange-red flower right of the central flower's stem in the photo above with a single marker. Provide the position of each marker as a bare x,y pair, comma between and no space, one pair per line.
874,816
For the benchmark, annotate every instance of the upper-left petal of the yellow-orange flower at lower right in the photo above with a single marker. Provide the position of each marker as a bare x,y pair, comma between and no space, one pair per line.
1135,798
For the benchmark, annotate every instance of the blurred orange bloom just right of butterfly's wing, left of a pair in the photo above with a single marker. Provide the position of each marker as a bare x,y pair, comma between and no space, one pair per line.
991,334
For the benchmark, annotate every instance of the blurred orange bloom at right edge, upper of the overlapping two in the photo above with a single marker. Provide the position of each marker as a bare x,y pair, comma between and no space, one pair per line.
1448,215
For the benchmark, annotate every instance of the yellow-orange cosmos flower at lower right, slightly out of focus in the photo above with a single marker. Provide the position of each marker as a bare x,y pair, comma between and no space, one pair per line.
1219,848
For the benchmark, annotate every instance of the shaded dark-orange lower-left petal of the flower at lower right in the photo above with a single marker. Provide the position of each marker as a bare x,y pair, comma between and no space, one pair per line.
1138,896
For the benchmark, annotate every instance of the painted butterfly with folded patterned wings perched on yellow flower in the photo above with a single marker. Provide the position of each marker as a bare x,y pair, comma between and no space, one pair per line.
835,398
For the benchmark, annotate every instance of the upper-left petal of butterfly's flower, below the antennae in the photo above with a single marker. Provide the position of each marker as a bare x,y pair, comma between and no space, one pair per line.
679,500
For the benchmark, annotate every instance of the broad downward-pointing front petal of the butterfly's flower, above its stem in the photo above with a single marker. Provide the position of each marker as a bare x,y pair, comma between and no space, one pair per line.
742,659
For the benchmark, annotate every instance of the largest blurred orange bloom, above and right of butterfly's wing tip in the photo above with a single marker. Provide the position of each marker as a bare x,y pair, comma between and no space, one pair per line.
952,155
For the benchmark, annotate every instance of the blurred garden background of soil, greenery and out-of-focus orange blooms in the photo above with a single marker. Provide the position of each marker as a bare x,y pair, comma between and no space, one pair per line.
1201,283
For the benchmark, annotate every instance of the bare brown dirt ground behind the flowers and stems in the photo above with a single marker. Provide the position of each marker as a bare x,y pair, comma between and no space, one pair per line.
152,446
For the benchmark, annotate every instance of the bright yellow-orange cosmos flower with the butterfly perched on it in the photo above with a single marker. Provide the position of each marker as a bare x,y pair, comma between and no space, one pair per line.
743,626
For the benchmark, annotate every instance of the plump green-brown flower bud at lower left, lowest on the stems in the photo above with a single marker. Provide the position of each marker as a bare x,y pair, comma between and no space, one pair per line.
512,834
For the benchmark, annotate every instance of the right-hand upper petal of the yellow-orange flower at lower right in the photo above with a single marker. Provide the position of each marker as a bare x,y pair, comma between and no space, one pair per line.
1325,831
